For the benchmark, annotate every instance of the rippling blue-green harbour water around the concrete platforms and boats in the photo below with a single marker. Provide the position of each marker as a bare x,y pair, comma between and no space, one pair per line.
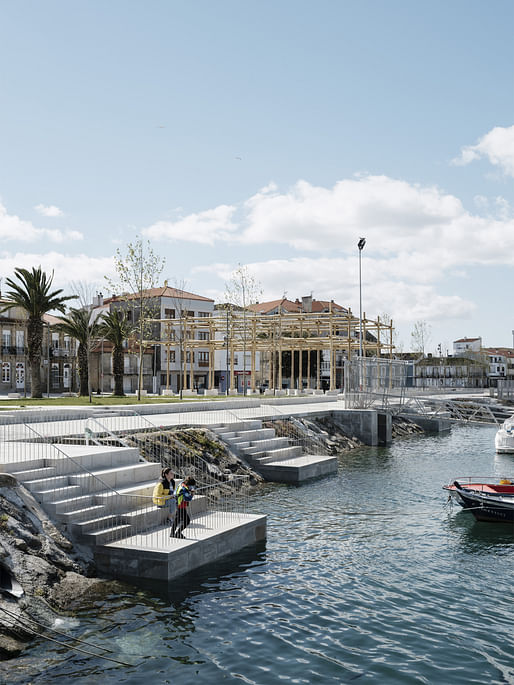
365,577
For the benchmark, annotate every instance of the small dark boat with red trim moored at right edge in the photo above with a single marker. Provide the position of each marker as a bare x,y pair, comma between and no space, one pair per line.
491,500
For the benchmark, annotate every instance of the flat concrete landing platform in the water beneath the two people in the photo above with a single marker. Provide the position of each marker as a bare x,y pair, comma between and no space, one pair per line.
154,555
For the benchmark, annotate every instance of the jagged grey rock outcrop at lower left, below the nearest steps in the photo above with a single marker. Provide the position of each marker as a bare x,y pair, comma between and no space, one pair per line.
40,571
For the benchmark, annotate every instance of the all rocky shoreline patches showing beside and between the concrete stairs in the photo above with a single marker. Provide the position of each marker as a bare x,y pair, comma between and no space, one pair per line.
43,574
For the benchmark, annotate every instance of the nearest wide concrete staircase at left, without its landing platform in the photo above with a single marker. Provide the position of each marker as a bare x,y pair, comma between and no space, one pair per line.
99,494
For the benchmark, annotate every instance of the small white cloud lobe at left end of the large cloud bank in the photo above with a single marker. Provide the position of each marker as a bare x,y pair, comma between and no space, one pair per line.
205,227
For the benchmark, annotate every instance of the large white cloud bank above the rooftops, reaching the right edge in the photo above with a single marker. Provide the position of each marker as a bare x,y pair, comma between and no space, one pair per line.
395,217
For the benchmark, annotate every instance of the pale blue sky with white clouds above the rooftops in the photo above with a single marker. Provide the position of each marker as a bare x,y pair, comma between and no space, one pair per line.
272,134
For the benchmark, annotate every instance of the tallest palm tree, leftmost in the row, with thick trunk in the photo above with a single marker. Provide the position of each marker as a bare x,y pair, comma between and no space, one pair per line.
33,294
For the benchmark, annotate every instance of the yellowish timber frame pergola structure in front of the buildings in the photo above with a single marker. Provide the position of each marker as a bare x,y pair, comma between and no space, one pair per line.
336,333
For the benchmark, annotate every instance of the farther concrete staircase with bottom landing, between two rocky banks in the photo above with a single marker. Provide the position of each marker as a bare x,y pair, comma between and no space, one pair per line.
271,456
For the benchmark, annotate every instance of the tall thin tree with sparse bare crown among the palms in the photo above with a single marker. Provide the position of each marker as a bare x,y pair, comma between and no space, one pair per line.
138,272
